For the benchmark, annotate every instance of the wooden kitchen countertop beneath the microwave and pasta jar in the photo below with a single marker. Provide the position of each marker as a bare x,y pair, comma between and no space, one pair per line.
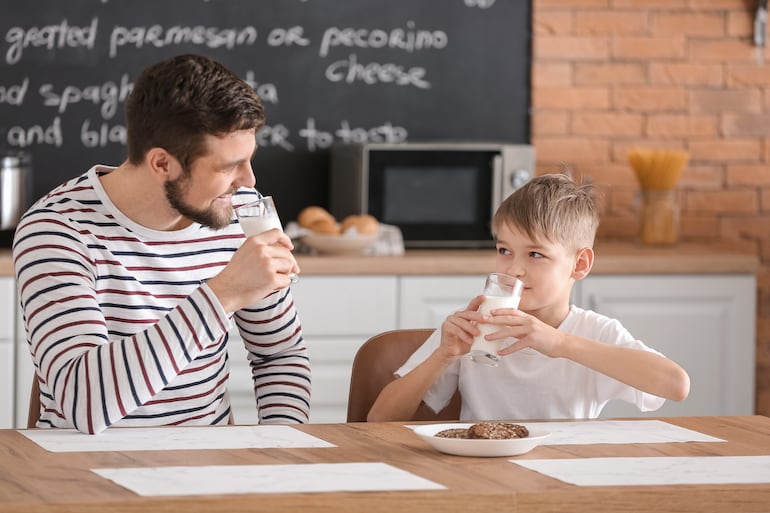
611,258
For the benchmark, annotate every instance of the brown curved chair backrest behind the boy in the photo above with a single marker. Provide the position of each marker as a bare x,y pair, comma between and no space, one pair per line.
373,368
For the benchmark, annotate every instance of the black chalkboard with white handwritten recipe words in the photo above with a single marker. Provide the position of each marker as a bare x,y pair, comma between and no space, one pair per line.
327,70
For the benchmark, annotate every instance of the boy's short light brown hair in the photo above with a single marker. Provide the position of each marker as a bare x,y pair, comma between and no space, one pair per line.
553,207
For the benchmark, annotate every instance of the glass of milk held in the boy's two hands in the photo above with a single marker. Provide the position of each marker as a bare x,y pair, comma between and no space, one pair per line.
500,291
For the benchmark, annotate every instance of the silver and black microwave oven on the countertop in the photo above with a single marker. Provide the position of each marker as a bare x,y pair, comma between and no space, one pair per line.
440,195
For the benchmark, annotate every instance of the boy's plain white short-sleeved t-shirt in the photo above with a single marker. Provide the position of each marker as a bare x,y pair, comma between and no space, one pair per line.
530,385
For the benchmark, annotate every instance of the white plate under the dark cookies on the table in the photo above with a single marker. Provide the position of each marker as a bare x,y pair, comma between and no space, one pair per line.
484,448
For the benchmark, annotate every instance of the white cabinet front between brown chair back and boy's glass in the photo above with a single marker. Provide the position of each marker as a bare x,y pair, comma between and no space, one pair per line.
425,301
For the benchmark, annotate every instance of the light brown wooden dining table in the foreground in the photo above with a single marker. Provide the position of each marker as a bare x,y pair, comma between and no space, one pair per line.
34,480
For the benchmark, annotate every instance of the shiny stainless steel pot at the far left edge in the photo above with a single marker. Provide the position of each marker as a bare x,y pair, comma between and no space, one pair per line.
15,187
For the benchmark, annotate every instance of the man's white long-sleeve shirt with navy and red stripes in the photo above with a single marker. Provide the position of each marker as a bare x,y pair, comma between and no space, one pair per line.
123,329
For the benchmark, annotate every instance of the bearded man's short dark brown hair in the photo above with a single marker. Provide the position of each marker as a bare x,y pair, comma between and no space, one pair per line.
175,103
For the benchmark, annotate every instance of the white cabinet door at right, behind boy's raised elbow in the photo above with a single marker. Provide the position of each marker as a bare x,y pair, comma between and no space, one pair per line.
706,323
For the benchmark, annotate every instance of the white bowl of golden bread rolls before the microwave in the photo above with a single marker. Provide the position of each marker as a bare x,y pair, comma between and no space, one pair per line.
323,233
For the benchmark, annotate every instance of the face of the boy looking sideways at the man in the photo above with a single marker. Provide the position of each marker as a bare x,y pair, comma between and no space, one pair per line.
545,267
